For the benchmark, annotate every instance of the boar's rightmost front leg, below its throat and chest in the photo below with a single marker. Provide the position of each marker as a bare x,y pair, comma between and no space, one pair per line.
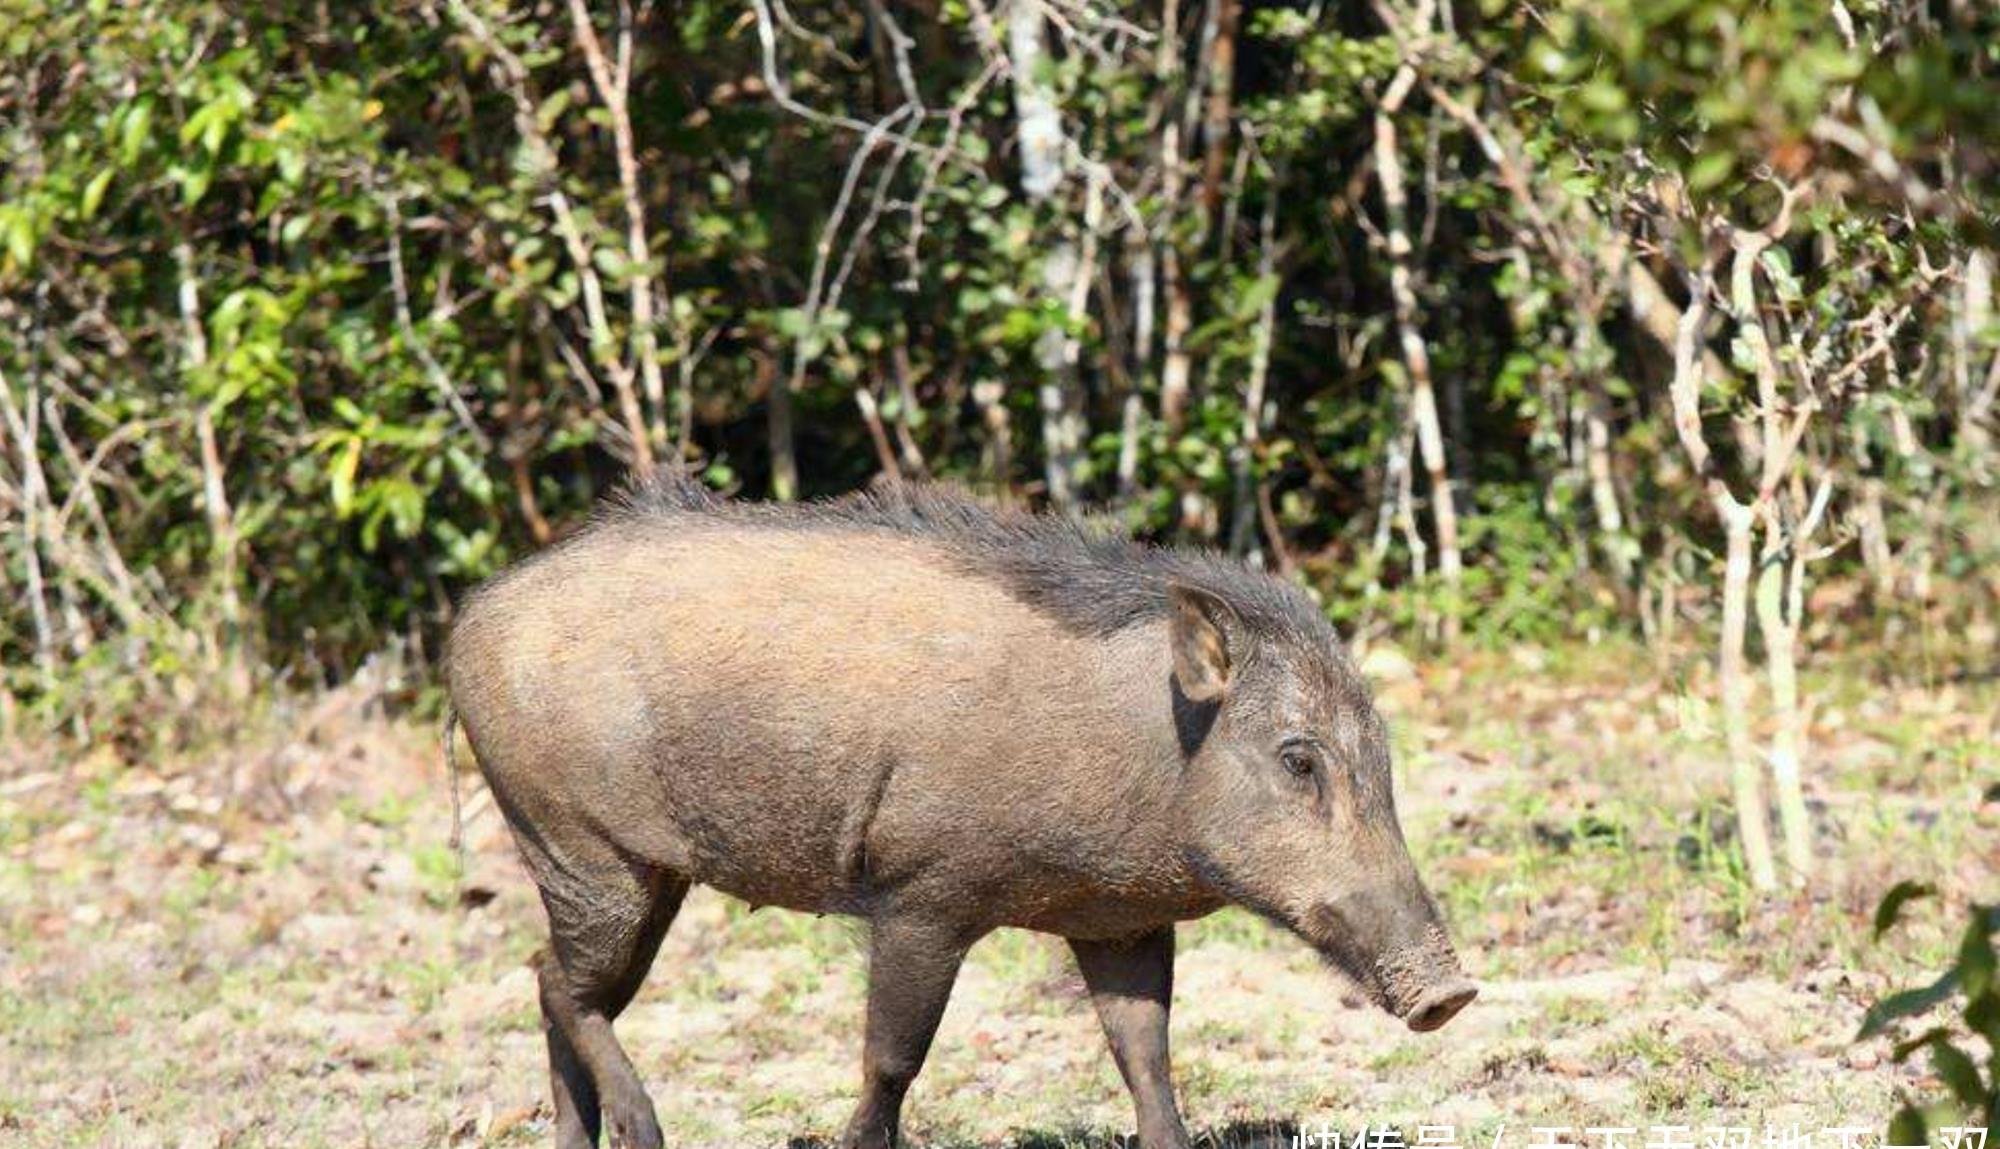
1133,986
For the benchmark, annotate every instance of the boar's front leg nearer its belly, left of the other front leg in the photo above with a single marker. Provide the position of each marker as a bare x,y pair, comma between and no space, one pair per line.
913,964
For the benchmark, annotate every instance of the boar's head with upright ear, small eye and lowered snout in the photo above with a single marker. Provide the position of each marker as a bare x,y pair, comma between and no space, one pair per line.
1289,808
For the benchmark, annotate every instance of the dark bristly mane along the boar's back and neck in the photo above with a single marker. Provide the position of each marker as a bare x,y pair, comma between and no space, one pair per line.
1087,573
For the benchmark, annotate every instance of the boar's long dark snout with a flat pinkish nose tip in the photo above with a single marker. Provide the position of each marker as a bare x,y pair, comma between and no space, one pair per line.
1399,954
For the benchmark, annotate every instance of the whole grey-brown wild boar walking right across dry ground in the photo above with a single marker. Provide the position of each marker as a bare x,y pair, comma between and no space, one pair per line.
943,720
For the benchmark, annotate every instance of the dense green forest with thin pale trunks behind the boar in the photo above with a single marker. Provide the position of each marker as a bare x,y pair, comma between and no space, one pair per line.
1653,329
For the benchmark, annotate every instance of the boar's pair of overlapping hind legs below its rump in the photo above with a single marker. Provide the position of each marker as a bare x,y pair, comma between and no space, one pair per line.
605,934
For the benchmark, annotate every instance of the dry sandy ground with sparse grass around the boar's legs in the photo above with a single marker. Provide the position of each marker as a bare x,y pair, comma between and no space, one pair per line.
273,946
